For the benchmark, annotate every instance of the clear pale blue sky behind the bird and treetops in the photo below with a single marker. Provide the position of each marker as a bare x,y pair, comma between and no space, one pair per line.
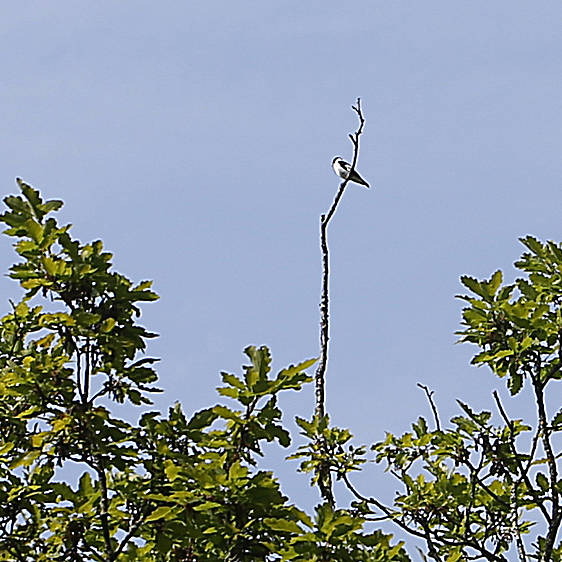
196,138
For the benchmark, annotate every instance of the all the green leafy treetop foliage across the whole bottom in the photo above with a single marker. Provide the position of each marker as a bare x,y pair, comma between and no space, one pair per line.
178,487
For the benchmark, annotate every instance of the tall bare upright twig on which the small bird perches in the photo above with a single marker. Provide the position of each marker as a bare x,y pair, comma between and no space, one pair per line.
325,482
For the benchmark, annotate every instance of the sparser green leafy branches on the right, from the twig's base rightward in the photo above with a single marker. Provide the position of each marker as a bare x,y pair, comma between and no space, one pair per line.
480,490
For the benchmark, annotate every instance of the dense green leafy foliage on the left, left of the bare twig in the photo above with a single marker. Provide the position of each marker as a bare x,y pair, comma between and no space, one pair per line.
172,487
